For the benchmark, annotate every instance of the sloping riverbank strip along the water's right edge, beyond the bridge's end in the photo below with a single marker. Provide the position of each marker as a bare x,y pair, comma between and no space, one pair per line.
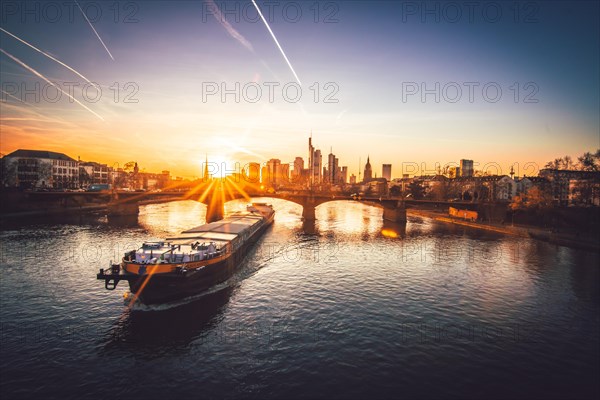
571,239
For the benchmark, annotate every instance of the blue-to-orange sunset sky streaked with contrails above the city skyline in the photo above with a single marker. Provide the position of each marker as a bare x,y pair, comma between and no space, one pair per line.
367,55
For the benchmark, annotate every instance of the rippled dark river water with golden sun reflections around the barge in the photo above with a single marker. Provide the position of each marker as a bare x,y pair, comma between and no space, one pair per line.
349,307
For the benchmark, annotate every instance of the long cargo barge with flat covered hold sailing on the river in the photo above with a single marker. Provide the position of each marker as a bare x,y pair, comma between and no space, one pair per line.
197,259
